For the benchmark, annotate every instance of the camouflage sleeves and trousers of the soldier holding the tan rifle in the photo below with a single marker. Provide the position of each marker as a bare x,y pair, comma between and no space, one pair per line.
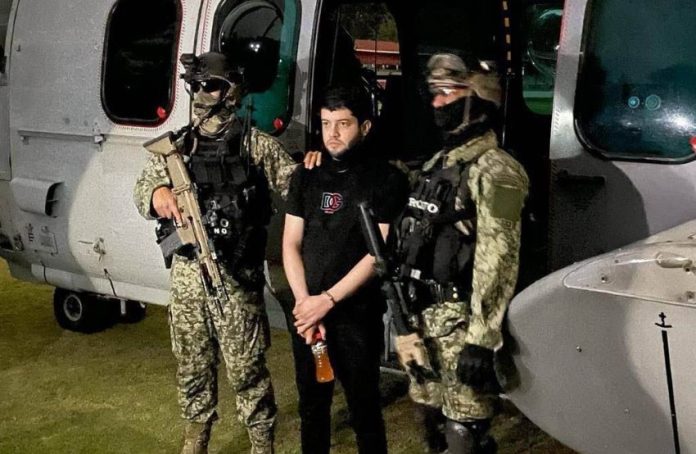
197,330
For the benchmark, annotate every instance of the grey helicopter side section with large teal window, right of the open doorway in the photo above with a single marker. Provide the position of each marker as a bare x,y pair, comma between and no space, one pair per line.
624,125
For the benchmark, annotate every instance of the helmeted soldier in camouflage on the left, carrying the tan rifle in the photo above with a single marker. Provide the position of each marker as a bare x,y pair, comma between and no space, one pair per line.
199,332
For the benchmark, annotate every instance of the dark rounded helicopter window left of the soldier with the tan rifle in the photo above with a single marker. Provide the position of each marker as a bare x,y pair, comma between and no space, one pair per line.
140,61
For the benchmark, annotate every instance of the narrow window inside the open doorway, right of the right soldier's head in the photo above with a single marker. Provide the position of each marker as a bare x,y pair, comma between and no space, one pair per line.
540,33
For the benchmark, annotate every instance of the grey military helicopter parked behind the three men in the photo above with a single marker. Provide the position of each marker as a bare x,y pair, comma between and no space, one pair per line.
598,107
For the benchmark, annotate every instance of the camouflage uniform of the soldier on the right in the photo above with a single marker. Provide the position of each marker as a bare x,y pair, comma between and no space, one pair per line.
497,185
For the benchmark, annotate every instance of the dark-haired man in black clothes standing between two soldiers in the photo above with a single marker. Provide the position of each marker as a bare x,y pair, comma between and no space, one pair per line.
331,274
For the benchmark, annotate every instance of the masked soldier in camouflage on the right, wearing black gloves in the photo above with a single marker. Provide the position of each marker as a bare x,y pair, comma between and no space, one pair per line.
458,242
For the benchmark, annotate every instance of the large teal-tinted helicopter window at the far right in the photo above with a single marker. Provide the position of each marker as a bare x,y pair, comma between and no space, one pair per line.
636,93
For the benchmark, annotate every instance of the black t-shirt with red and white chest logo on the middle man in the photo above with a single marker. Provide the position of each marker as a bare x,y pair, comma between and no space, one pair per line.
327,198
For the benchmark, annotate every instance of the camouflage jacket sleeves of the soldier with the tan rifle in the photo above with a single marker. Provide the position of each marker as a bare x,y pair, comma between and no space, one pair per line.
266,151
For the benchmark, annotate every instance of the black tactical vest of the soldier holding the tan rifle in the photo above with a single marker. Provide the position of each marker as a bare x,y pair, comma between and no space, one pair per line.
235,205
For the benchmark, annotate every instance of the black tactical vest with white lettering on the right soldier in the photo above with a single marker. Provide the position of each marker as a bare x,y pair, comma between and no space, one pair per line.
431,251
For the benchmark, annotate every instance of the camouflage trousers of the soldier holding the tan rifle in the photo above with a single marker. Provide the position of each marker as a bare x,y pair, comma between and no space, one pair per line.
199,335
